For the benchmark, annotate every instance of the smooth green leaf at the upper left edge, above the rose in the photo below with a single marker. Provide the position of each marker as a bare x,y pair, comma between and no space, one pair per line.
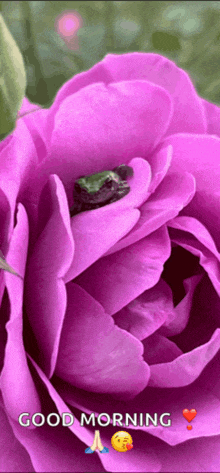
12,80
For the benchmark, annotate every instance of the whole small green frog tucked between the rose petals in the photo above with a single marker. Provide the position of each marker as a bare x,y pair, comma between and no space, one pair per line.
96,190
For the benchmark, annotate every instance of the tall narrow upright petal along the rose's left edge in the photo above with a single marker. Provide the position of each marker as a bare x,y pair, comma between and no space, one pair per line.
16,399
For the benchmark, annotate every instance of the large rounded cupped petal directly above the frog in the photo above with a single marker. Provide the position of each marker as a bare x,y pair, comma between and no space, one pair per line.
120,121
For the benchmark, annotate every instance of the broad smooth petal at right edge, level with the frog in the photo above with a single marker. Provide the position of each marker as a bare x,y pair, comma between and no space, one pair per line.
200,156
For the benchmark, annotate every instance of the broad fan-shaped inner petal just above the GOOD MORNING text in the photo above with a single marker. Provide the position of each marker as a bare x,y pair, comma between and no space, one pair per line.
91,348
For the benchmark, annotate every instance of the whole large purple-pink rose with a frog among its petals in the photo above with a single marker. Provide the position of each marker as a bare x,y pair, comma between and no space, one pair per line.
117,308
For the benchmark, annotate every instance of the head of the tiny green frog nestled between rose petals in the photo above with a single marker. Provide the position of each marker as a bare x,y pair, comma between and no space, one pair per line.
97,188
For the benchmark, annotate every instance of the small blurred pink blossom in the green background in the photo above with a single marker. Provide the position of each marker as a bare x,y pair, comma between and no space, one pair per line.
67,24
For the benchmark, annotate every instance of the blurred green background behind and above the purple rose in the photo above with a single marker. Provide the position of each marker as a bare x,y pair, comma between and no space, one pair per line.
187,32
